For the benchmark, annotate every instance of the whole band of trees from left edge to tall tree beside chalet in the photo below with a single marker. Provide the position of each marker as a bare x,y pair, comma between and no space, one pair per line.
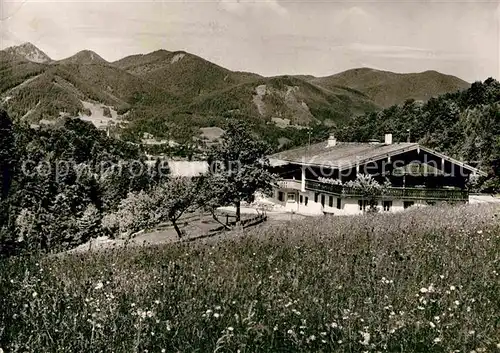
62,185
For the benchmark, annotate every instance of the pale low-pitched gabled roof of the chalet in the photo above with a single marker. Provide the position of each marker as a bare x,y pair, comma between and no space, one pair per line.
348,154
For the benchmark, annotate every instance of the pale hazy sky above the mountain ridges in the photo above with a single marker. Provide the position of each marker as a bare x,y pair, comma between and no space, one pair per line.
271,37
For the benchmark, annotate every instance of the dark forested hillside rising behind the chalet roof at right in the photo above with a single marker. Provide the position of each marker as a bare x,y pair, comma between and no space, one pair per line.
464,125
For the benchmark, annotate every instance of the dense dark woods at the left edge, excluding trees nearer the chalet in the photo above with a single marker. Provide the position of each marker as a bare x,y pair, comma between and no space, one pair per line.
57,183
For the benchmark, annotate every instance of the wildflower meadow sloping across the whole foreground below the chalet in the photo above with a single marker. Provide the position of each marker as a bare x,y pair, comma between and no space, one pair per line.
426,280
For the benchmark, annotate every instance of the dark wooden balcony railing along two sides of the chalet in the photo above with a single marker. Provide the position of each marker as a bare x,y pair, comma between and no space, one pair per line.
391,192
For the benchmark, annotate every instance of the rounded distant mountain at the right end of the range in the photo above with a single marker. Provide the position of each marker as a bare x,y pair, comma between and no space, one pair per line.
388,88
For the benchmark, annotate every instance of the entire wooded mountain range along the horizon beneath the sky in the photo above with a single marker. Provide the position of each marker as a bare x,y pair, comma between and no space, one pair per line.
182,88
